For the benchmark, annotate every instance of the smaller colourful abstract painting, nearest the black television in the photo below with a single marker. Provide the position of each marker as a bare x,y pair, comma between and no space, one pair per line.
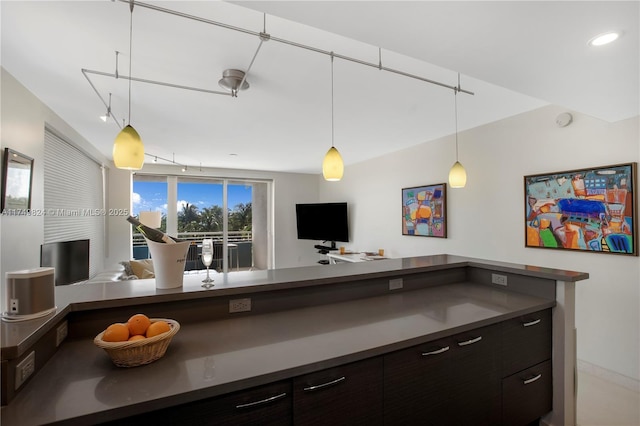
424,211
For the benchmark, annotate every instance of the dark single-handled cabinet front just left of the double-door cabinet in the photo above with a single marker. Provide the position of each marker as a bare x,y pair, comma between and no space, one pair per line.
346,395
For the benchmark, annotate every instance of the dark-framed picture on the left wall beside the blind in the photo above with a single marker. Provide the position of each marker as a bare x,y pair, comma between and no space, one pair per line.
17,175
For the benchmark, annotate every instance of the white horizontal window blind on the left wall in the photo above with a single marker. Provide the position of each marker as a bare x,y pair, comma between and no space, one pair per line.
73,198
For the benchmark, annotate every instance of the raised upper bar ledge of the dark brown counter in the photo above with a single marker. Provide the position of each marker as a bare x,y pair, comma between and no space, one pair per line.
16,338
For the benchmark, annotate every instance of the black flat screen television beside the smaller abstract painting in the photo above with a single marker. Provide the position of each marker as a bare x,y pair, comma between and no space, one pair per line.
322,221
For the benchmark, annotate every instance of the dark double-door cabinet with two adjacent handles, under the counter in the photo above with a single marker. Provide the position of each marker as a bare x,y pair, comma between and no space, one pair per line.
445,382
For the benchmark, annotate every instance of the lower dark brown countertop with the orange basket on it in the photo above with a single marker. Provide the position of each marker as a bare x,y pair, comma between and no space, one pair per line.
210,358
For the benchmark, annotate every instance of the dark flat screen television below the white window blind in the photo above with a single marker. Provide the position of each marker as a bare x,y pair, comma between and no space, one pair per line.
69,258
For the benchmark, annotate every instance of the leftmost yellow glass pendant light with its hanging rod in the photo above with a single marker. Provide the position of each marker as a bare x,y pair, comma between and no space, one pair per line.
128,149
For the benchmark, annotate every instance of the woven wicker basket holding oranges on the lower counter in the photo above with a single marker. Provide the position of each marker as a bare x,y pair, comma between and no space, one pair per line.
139,352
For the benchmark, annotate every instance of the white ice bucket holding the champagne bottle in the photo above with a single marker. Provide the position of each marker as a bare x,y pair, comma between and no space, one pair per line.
168,262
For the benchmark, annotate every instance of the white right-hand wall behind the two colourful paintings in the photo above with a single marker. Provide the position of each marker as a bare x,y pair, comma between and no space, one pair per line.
486,218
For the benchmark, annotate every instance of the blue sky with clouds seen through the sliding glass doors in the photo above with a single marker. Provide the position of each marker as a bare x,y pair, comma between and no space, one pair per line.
152,196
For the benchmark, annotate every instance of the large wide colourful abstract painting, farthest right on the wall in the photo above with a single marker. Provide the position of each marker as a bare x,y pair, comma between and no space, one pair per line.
590,209
